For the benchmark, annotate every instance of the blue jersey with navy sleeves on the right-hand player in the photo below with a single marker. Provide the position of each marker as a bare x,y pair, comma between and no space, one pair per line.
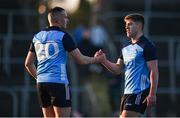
135,57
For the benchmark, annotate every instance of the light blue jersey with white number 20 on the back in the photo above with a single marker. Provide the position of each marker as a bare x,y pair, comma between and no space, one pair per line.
51,46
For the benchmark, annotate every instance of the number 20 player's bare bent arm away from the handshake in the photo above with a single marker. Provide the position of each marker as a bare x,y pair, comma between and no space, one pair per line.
29,64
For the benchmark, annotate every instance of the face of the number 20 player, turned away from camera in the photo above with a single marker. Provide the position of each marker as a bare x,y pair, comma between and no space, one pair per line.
64,20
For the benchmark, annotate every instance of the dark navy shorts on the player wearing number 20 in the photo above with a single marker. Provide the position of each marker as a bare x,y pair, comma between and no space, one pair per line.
55,94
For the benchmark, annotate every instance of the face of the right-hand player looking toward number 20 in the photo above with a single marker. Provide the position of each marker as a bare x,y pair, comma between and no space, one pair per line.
131,28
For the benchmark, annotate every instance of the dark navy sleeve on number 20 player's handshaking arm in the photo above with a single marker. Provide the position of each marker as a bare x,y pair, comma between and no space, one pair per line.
68,43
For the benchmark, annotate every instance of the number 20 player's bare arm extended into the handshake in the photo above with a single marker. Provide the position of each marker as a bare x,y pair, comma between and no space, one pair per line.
82,59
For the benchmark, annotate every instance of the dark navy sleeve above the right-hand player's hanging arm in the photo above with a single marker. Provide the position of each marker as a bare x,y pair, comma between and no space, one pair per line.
150,52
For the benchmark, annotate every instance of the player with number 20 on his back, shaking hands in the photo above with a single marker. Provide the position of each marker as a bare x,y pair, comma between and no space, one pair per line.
50,47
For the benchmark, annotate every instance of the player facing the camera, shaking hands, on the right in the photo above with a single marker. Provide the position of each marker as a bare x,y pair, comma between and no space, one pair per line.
139,61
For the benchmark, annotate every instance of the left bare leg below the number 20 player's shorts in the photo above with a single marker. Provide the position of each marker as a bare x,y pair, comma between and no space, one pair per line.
48,112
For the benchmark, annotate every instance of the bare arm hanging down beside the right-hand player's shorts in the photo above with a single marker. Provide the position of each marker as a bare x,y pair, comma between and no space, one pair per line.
154,76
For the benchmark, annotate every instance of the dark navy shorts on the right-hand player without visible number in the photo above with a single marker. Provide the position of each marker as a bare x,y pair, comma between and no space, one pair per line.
134,102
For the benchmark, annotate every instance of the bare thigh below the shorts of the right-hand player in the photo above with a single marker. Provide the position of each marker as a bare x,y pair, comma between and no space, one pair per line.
126,113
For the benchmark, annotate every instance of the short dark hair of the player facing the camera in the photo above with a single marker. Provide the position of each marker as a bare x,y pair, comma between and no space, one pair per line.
135,17
